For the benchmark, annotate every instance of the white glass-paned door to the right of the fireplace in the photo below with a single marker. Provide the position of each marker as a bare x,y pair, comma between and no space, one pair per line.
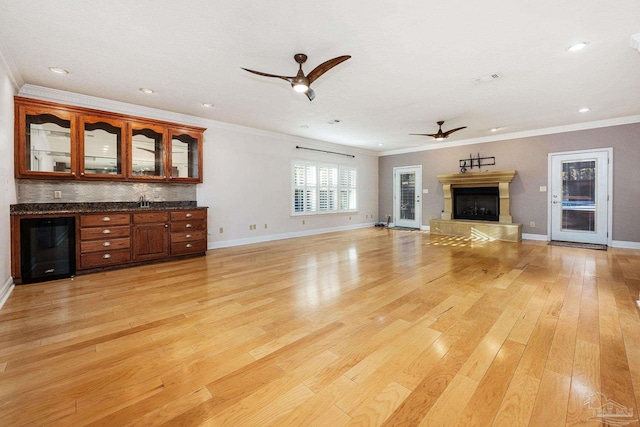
579,195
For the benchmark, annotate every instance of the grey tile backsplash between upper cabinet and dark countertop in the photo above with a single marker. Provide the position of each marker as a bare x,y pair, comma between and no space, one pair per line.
43,191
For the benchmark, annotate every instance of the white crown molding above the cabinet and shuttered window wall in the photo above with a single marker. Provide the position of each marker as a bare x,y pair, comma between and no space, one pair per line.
87,101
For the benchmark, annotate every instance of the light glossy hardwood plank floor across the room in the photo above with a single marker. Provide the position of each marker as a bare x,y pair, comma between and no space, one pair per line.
366,327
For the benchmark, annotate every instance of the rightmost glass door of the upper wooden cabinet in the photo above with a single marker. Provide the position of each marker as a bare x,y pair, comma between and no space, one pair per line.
185,155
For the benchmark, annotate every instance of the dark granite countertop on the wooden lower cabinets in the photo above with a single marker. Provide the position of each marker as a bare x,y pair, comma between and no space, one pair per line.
67,208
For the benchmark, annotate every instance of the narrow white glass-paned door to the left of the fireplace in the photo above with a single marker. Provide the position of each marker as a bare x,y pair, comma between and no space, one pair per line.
407,192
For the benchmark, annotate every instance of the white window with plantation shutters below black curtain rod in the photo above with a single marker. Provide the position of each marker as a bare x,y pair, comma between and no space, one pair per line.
323,188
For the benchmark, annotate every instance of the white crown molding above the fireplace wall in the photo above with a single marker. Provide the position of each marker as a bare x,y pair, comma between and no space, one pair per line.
524,134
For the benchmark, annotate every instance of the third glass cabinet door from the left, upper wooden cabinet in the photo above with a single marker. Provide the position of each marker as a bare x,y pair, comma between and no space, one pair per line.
147,151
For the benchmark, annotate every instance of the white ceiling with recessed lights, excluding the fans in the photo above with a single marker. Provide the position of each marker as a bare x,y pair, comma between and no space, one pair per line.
413,62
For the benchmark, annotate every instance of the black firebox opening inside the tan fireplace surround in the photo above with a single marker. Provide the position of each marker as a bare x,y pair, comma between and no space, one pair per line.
476,203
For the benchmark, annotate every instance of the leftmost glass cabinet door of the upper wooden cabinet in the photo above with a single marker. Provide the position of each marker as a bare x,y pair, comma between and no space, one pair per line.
48,148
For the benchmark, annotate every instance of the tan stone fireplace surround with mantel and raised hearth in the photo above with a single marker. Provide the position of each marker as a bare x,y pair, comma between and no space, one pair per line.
504,229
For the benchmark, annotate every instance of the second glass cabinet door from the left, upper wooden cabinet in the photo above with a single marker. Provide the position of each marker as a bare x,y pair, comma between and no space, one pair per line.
101,147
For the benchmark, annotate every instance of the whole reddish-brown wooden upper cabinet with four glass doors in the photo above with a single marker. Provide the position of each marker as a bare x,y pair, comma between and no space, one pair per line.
59,141
